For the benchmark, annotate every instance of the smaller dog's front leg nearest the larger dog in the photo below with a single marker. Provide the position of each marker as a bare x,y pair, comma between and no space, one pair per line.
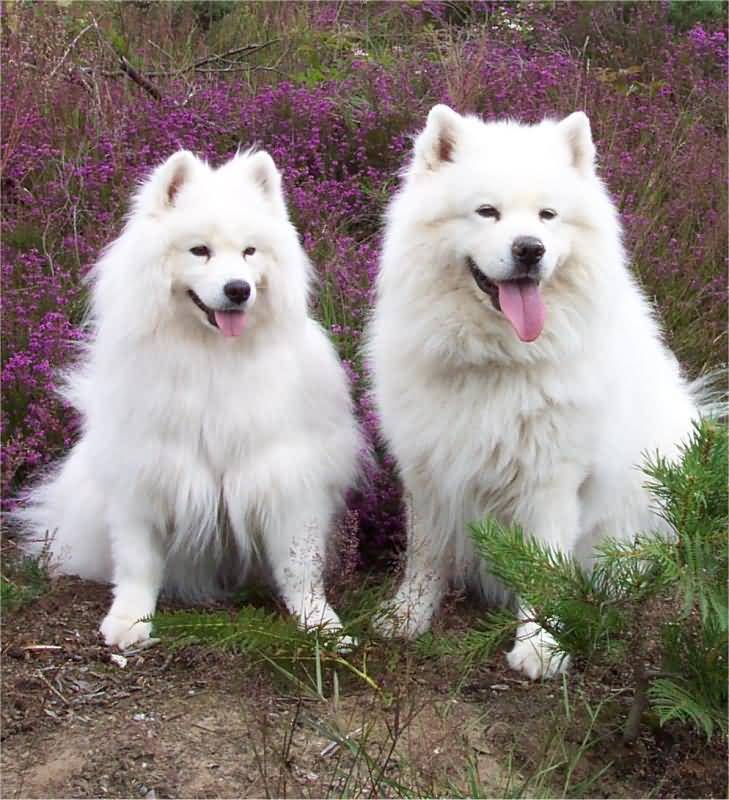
295,545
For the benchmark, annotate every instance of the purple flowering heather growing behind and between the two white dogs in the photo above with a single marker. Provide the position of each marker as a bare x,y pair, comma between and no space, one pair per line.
73,149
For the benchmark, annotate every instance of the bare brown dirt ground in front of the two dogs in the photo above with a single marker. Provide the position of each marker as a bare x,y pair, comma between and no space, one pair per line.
194,723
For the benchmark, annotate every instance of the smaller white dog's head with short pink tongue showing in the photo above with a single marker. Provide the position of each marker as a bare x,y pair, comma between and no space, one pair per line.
227,248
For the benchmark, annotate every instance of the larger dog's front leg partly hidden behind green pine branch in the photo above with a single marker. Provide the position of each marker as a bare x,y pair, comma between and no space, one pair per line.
552,516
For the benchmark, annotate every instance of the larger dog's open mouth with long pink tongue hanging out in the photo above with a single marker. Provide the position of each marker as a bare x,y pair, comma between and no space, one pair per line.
519,300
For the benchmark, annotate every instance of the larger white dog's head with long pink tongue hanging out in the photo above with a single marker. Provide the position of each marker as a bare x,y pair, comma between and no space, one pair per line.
508,202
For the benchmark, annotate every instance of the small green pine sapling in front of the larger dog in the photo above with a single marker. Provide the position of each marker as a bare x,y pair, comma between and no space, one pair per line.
658,604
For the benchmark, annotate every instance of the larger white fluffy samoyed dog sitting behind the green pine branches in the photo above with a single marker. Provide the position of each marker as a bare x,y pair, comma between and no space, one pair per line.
518,368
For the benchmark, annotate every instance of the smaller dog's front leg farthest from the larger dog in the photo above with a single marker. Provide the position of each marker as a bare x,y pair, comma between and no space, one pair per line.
138,564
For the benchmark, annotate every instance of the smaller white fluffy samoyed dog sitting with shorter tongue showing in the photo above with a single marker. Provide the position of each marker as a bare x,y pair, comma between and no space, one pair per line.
216,418
